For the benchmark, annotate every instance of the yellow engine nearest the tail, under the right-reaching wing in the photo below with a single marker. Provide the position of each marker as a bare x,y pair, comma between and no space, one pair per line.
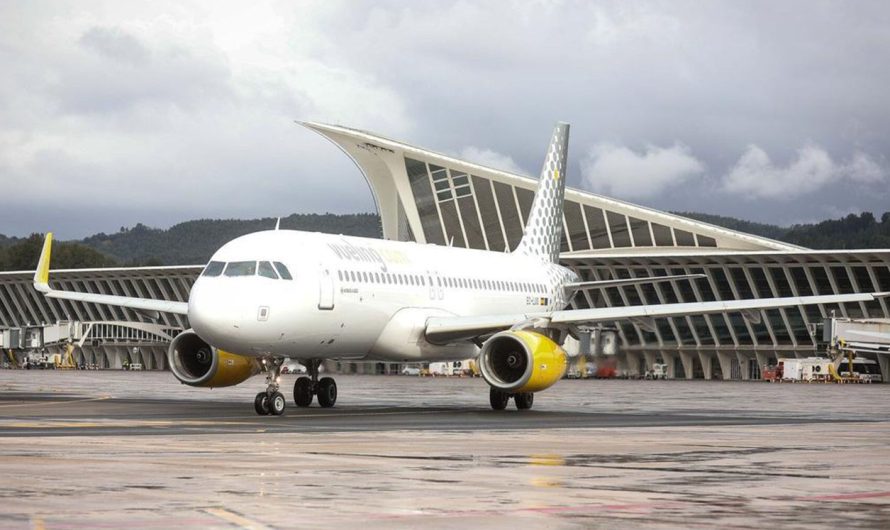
521,361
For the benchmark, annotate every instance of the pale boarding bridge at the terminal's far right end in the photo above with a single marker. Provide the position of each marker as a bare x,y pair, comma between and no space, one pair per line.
869,338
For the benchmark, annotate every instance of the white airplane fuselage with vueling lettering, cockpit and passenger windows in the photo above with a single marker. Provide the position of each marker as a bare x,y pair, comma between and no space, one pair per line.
358,298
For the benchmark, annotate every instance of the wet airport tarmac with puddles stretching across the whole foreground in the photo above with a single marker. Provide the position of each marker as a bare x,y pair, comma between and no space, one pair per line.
115,449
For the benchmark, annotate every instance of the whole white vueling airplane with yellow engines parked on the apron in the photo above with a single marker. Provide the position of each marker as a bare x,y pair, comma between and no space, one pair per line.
279,294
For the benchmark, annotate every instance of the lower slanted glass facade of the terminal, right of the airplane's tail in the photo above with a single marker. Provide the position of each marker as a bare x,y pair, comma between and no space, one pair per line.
737,277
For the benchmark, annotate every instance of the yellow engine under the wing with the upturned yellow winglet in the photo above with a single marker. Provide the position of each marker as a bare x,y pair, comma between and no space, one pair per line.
196,363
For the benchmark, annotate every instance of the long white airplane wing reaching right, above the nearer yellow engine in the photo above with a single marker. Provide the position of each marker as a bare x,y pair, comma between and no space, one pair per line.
440,330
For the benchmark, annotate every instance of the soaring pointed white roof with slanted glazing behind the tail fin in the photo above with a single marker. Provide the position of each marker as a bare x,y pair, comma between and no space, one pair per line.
434,198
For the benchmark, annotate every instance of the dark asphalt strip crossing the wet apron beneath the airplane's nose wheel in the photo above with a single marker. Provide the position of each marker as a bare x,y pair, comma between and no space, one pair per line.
28,414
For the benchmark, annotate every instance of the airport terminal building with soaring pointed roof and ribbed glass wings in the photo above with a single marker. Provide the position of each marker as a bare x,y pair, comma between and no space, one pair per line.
427,197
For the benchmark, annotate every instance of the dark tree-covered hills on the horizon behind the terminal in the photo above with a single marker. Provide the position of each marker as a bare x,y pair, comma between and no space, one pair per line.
193,242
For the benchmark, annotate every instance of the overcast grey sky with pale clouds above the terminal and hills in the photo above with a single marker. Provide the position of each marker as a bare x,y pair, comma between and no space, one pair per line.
113,113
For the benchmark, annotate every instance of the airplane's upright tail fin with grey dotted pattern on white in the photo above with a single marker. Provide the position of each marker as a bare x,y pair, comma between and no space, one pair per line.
543,231
